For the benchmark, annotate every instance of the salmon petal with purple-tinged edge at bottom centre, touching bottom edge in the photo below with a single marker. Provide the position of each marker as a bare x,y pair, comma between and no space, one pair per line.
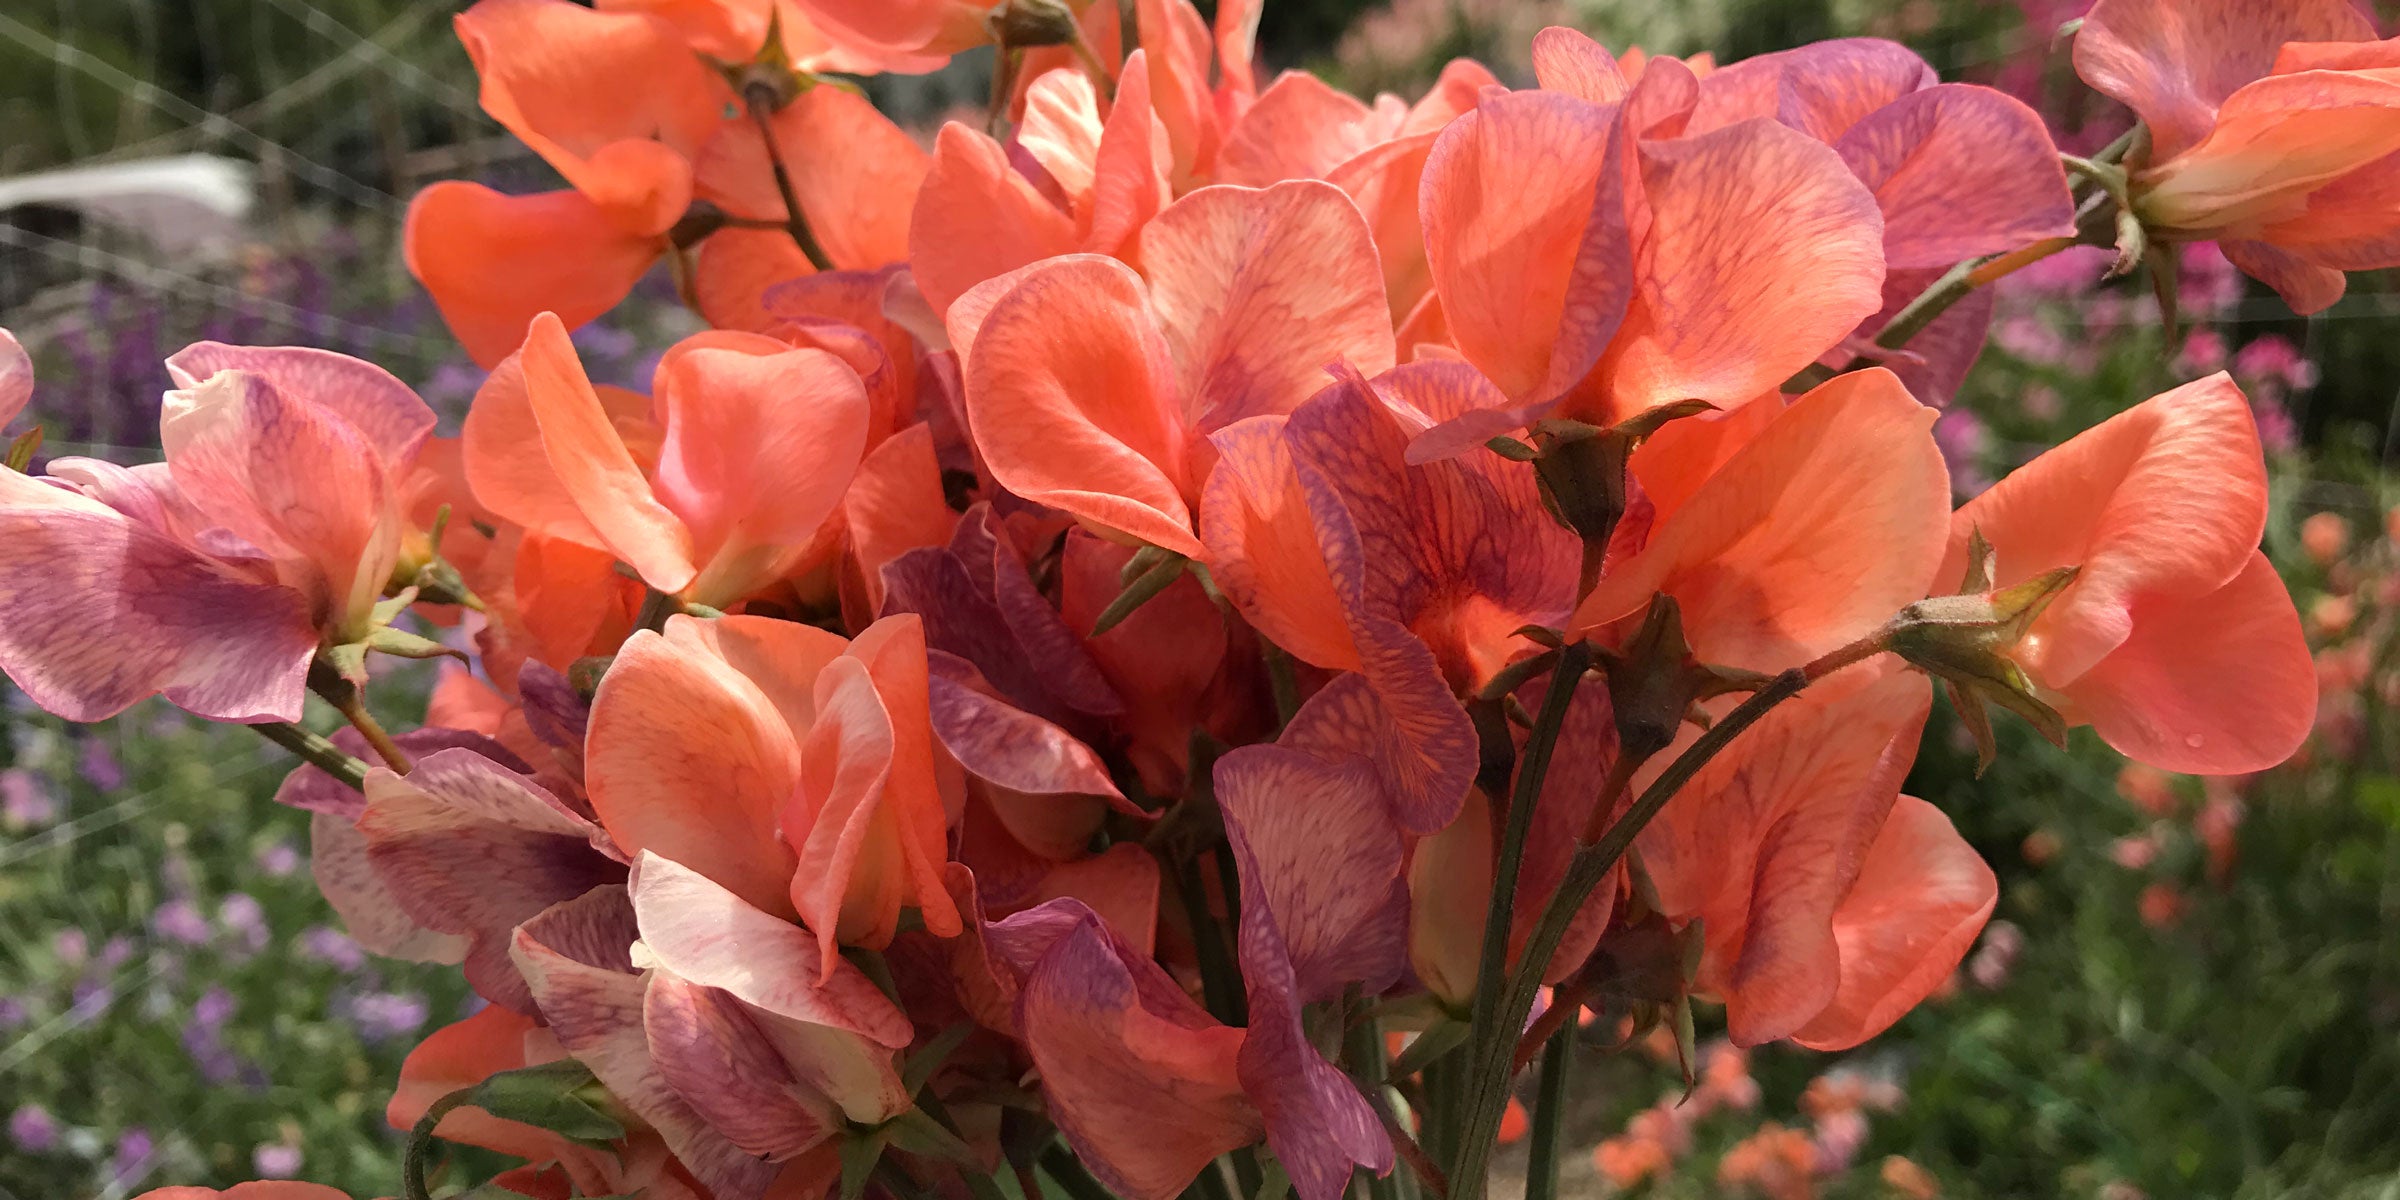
1136,1076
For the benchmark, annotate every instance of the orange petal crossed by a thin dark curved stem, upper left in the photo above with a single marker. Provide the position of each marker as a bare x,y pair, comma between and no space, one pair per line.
853,172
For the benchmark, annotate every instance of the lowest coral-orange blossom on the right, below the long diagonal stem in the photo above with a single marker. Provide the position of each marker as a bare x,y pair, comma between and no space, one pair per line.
1830,901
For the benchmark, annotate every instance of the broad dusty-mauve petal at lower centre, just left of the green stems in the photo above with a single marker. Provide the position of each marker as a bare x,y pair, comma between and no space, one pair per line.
1319,848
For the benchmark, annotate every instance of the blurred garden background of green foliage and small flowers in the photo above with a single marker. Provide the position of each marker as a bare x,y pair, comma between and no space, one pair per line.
2192,988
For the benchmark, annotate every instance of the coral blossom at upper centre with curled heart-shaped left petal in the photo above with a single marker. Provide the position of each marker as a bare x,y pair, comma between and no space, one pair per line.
1093,388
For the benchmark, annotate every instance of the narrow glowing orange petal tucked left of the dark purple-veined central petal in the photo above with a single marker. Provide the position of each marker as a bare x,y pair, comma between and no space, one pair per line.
1264,546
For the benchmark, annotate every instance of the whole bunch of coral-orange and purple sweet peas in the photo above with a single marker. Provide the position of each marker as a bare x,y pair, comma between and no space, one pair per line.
1117,613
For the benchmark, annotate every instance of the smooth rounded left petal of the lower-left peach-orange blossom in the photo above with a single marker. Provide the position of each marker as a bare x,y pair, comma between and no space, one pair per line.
692,760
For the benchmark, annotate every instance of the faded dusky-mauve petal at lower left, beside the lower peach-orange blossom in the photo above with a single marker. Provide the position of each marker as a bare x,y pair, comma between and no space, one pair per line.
472,848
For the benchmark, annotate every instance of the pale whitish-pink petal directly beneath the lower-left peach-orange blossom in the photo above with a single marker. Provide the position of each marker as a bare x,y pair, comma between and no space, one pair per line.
712,937
